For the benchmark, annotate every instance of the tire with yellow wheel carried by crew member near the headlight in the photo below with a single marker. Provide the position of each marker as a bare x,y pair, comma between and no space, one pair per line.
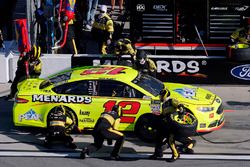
181,127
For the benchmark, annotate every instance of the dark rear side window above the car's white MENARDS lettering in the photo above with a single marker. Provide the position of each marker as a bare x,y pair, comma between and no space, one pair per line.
77,88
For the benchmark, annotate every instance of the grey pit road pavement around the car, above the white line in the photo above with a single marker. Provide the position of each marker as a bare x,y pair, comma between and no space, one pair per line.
236,100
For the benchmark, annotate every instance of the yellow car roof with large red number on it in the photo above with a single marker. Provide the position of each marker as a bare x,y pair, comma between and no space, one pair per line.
114,72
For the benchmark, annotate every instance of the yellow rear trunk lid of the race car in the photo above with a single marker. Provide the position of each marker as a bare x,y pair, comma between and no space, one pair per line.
29,85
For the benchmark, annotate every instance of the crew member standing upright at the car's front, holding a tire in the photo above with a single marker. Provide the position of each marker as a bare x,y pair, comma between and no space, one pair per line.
164,129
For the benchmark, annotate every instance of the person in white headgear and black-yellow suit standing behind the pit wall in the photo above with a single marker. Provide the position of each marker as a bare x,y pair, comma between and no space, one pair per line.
103,29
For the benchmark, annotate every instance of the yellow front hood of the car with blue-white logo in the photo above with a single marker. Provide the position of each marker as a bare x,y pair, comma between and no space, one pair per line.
190,94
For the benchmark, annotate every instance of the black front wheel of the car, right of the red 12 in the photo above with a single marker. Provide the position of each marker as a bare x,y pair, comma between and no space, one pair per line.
145,128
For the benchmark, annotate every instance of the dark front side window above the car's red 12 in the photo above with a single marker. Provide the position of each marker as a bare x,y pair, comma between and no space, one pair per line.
117,89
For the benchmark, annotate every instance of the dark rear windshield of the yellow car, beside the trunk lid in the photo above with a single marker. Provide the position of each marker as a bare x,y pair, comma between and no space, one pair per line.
56,79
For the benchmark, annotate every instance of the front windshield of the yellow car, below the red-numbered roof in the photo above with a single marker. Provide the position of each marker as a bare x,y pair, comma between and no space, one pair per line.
151,84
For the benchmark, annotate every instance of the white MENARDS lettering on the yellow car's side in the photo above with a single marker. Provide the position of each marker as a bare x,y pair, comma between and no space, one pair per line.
62,98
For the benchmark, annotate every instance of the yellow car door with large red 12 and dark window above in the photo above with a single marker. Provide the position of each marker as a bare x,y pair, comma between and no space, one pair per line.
132,102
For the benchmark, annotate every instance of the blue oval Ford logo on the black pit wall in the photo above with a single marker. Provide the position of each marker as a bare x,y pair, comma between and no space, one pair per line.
241,72
